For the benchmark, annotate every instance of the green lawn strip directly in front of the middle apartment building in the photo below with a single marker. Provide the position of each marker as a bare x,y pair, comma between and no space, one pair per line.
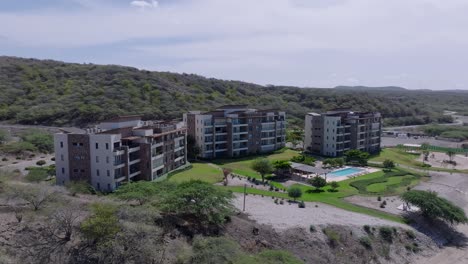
242,166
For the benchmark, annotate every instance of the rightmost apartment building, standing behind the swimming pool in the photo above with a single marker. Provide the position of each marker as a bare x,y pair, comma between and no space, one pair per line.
334,132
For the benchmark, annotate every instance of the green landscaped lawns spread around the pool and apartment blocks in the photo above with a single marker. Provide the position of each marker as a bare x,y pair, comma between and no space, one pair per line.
378,183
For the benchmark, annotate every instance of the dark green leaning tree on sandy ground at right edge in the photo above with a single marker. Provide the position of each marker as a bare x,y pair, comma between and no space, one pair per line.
432,206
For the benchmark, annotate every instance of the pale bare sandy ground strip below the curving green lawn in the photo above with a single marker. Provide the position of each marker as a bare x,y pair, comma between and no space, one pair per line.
281,217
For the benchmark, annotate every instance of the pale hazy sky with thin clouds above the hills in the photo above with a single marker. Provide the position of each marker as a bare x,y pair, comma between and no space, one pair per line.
417,44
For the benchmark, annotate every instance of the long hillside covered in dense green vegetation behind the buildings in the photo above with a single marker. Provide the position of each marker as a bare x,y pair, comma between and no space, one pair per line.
57,93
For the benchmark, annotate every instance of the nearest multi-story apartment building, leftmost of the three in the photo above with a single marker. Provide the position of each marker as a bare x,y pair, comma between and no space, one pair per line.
120,150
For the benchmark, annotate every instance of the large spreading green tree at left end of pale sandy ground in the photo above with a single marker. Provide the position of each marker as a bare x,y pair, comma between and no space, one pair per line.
200,200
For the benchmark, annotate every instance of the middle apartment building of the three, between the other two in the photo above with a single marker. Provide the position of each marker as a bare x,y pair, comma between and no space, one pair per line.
236,130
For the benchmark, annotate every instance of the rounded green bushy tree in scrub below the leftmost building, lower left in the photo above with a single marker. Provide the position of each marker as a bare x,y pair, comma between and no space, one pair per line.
102,225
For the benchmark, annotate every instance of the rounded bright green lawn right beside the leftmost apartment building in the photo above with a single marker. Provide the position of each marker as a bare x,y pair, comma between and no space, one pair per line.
199,171
